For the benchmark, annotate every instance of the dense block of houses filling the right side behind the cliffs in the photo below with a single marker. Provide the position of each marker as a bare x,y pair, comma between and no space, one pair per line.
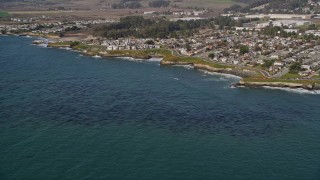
225,45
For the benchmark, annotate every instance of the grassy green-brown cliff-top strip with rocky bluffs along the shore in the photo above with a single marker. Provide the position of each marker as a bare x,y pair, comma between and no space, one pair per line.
168,59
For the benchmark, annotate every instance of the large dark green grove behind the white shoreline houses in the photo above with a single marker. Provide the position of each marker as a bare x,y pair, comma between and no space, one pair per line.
137,26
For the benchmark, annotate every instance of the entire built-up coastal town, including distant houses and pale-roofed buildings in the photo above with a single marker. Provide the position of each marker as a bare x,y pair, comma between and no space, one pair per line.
289,44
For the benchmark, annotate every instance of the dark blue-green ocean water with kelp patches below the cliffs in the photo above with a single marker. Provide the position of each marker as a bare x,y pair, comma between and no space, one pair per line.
67,116
